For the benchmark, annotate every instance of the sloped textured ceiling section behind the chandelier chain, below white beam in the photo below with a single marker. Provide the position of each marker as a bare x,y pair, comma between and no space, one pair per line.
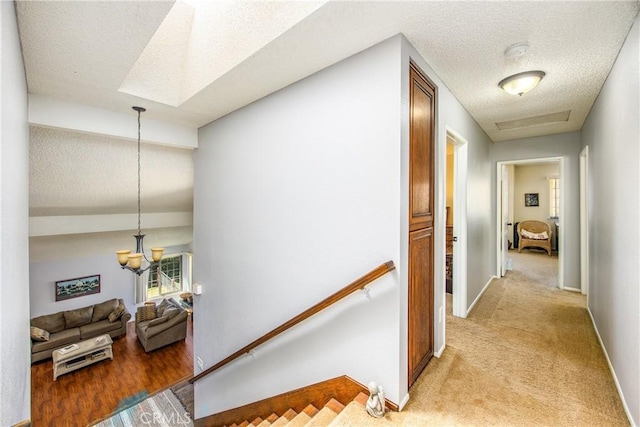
79,174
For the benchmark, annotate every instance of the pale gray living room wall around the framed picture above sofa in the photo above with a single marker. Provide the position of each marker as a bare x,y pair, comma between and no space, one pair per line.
114,281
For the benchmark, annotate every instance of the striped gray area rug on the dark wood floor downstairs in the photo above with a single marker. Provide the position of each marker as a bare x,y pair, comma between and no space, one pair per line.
160,410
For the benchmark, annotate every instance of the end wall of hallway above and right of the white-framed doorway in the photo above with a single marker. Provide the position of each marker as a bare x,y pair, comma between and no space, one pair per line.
567,146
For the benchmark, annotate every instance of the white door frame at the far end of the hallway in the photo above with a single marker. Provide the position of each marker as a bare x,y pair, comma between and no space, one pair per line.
563,199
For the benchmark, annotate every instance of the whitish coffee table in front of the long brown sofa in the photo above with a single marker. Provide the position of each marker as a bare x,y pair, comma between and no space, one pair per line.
88,352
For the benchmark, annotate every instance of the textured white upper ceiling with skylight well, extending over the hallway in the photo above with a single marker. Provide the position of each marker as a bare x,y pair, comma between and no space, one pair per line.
94,52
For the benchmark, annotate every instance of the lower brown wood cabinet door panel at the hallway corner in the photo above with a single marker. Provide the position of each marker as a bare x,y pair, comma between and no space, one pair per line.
420,301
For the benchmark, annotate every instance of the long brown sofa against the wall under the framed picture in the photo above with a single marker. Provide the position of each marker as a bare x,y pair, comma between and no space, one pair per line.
57,330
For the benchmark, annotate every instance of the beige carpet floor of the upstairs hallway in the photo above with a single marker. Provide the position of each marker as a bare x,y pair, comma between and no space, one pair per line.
527,355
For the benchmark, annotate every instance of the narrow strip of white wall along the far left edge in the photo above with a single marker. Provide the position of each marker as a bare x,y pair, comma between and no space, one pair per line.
15,370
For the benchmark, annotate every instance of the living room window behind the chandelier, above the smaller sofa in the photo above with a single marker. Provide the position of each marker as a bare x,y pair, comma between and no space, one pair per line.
174,276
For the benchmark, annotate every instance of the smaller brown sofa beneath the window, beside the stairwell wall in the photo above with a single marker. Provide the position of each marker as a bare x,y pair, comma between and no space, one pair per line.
162,324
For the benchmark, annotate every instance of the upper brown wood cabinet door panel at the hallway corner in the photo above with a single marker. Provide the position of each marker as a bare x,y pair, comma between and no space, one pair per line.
421,148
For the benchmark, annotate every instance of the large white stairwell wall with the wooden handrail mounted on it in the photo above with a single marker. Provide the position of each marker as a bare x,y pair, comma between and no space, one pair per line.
297,195
